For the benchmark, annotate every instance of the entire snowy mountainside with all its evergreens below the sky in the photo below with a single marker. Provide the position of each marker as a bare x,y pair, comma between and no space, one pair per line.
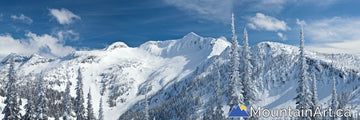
189,78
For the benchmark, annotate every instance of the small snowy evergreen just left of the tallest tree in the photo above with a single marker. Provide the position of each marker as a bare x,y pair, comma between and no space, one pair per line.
218,112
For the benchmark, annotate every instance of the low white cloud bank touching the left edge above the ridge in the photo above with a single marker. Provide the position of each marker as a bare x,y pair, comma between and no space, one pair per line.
46,45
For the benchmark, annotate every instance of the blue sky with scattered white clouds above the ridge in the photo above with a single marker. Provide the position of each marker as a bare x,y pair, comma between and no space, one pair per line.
55,28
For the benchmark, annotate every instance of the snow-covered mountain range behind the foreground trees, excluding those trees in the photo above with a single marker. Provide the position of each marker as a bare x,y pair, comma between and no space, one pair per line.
178,76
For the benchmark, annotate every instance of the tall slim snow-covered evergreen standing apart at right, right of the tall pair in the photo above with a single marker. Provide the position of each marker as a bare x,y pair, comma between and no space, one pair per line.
303,98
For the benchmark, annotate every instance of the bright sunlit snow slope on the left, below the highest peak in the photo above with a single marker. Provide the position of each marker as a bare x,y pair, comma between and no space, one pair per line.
120,71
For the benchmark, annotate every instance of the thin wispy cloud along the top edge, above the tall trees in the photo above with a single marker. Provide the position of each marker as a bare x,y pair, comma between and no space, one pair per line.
220,10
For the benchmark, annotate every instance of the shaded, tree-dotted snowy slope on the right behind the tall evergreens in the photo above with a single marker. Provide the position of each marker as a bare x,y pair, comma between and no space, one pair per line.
275,72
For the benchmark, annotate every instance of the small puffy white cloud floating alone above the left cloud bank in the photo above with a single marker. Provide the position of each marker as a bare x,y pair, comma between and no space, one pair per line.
64,16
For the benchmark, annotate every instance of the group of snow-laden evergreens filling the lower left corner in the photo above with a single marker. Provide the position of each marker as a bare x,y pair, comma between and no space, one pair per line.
37,107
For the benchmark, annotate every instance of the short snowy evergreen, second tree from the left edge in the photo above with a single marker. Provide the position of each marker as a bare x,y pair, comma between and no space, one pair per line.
29,107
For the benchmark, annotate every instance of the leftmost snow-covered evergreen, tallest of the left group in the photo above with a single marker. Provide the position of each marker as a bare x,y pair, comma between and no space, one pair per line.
12,110
